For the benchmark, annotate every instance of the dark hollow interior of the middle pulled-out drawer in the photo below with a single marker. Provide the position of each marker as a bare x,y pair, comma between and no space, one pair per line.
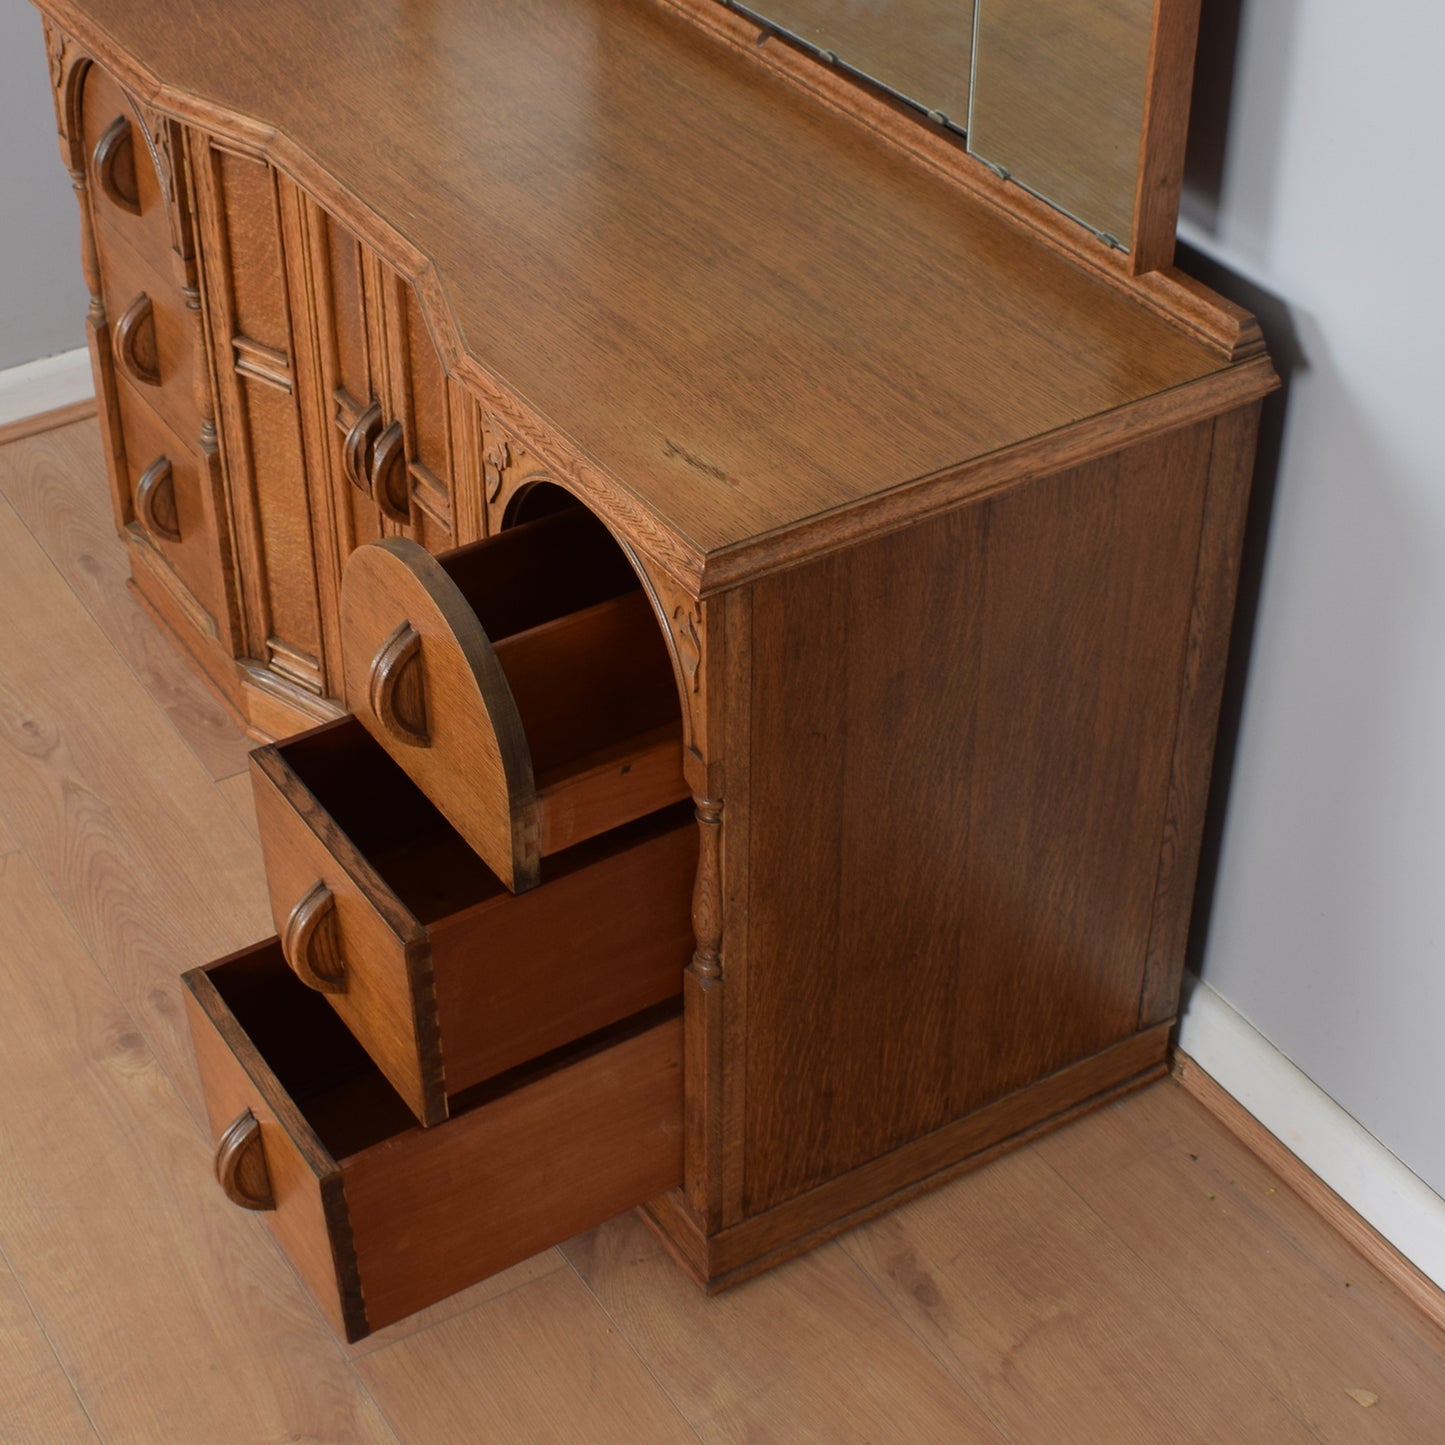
420,856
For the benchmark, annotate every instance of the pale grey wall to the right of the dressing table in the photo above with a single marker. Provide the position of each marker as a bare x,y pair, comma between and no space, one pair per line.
1329,921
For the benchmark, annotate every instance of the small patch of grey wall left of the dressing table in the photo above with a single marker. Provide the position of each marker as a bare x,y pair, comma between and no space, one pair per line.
43,297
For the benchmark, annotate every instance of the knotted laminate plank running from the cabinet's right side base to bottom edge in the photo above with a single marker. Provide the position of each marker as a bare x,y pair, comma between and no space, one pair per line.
1054,1326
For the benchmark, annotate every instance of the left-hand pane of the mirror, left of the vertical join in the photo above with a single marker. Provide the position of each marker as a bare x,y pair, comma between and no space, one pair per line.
918,50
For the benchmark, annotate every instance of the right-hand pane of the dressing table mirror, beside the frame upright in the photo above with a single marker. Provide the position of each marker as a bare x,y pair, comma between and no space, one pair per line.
1058,102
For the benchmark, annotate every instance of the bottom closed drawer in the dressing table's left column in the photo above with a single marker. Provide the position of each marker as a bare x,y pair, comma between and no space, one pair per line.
168,496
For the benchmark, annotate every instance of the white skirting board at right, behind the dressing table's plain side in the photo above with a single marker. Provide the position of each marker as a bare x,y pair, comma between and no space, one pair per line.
1314,1128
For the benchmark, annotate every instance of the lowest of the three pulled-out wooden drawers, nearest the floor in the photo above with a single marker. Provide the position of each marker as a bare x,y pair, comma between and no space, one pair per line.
382,1217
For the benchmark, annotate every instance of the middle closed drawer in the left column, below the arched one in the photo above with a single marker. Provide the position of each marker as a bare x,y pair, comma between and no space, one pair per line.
155,339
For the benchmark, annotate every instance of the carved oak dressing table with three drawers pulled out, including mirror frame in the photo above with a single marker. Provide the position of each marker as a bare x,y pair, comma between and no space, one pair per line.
741,587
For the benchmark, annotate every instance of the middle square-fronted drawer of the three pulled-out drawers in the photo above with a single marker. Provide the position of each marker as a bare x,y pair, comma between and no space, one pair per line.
441,973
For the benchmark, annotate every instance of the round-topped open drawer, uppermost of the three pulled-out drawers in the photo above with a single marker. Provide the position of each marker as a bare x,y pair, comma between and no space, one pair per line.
524,683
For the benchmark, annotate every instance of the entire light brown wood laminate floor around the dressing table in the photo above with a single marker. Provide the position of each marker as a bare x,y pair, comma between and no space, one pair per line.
1135,1278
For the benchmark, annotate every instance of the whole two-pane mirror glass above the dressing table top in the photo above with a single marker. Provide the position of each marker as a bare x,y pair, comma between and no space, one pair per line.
1051,93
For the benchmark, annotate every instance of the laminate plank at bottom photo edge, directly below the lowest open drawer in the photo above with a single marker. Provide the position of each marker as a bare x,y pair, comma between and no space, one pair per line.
540,1365
